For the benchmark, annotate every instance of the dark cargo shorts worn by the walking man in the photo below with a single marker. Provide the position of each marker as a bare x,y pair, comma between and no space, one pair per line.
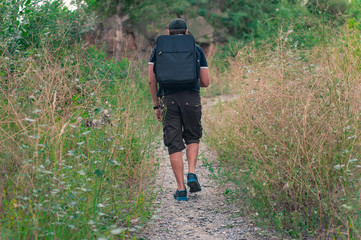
182,112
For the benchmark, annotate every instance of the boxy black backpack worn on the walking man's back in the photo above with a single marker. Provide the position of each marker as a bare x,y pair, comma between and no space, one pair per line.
176,65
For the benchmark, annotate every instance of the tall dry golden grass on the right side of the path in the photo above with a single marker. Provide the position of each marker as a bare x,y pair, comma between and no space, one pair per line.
291,140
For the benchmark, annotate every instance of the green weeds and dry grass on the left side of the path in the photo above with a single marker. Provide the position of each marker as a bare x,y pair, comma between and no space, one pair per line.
64,175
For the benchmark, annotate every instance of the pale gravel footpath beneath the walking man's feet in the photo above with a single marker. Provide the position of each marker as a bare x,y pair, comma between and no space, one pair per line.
206,214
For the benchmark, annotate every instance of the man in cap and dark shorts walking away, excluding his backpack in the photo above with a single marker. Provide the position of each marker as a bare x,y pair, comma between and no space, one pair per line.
181,116
